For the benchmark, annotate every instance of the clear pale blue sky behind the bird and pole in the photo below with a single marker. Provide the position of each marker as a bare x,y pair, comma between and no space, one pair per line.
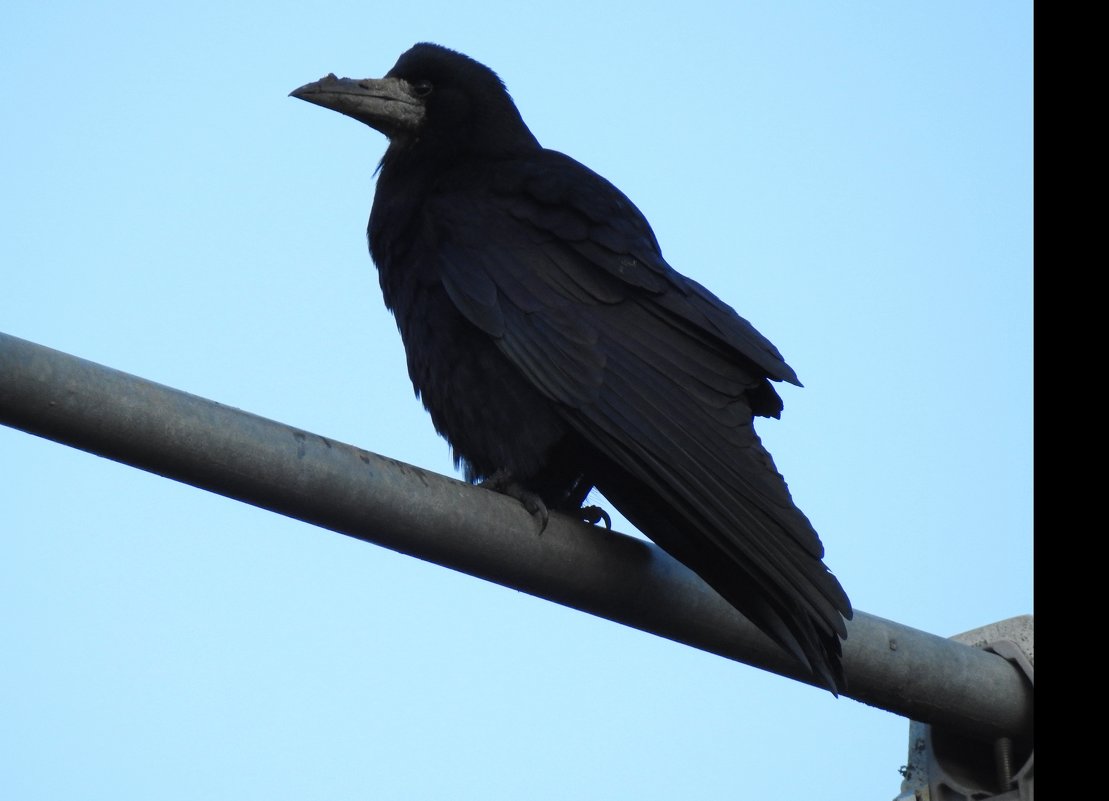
854,178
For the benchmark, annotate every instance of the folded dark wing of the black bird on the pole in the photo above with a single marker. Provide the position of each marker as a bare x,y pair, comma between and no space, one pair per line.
660,376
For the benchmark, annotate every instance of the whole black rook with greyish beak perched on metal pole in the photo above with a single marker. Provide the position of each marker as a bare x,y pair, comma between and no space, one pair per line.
557,351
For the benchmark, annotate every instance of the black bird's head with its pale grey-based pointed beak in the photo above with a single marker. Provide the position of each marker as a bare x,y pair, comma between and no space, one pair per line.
433,97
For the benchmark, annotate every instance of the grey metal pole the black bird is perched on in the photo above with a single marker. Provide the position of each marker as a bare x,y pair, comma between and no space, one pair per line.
361,494
